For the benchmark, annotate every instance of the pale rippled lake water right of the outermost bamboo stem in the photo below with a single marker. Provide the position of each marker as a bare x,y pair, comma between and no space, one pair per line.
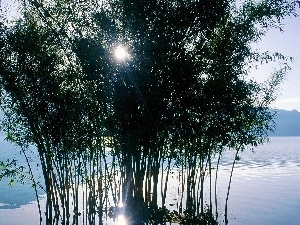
266,185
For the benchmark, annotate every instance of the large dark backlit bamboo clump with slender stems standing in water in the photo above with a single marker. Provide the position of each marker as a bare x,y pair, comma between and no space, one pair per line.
109,132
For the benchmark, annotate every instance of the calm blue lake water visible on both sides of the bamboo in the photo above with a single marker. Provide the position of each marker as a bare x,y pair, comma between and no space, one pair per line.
265,187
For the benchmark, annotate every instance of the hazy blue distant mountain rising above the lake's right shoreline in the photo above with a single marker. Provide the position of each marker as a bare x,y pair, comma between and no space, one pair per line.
287,123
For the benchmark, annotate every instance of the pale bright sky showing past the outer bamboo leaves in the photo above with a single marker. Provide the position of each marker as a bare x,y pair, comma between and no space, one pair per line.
287,43
